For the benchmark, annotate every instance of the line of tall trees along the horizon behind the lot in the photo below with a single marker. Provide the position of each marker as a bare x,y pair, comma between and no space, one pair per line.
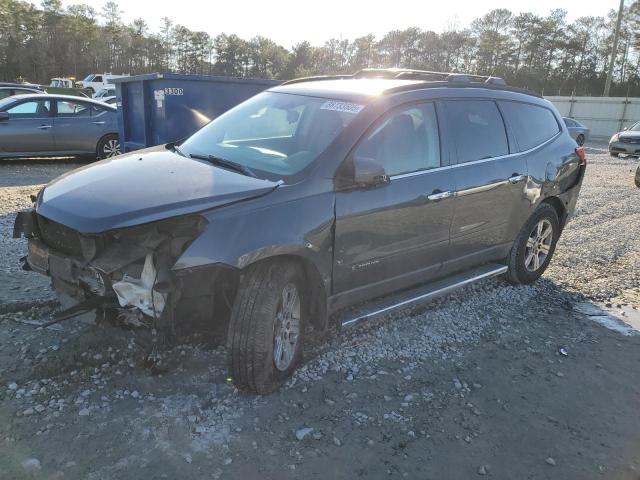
545,53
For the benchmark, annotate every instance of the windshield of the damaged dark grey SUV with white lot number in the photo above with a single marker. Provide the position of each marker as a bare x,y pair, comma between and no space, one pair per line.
275,133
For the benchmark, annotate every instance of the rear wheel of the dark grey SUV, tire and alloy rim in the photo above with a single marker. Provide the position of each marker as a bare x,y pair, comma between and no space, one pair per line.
533,249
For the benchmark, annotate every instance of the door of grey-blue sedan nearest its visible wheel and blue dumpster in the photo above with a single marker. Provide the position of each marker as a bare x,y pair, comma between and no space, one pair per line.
78,126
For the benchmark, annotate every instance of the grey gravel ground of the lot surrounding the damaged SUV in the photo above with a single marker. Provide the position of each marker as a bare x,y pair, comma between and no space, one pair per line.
493,380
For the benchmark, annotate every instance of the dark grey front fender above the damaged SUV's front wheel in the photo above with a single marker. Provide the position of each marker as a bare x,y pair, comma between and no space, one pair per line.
242,235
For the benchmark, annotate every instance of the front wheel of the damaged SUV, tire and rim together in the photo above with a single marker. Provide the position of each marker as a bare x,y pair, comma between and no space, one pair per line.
266,329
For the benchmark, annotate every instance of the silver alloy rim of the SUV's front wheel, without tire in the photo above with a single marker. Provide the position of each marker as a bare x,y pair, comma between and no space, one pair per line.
287,328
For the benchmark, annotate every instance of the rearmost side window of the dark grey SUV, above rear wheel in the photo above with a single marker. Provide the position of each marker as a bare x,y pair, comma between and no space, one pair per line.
532,125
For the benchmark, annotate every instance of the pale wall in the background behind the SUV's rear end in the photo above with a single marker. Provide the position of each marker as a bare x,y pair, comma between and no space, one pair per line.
603,115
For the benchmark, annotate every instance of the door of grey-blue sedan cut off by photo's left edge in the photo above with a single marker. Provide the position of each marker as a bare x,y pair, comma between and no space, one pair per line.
28,129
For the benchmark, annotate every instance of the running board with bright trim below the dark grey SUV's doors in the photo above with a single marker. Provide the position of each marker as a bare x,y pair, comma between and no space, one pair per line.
420,294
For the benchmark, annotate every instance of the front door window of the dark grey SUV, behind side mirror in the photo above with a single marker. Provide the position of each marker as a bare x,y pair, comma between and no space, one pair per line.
406,141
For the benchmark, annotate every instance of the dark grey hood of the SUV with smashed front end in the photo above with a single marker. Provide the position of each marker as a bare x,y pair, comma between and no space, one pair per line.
141,187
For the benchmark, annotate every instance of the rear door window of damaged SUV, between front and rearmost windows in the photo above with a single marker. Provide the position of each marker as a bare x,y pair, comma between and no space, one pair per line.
478,129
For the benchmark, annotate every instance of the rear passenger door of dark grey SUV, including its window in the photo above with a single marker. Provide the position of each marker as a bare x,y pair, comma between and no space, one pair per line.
491,182
